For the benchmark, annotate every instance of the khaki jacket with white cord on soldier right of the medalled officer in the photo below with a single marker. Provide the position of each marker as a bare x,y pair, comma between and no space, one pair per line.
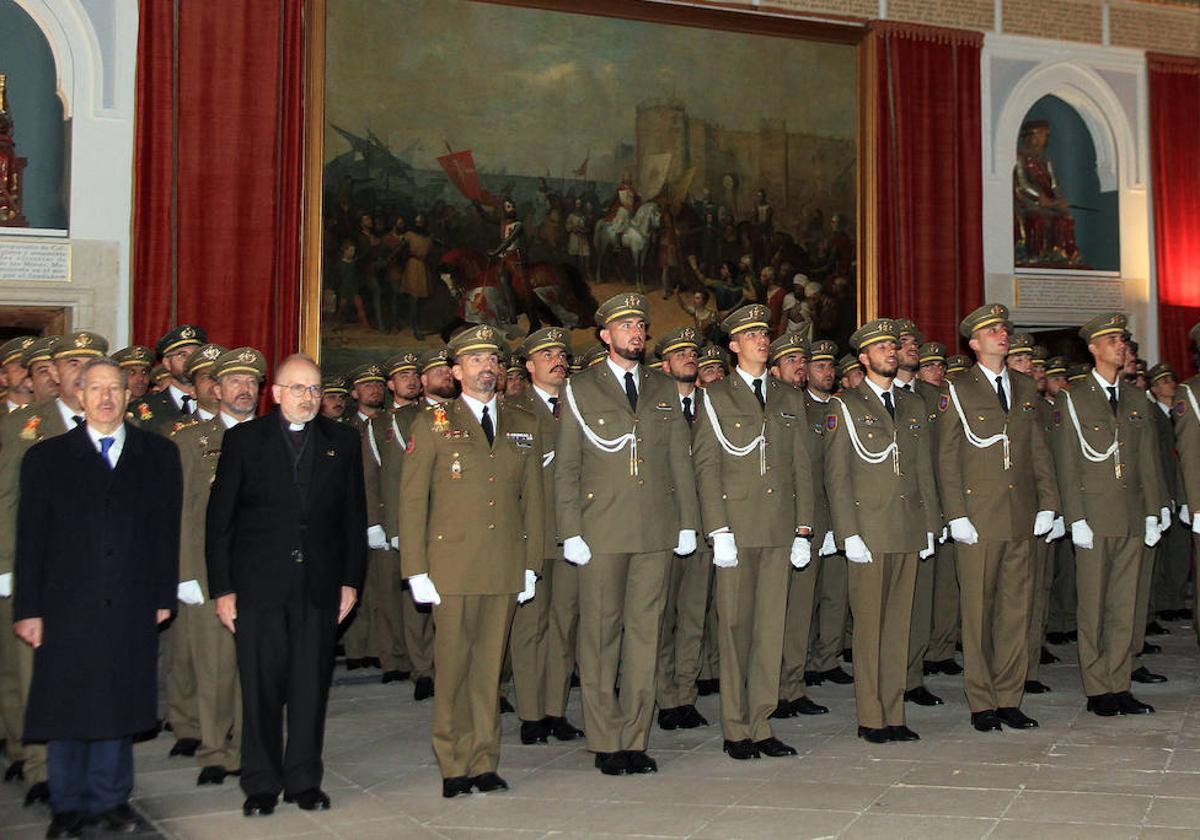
619,507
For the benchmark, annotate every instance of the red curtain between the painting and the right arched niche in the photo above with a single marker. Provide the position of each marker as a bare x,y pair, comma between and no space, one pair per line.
928,175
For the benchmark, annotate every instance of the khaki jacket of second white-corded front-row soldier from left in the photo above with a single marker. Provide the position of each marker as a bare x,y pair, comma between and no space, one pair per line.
767,494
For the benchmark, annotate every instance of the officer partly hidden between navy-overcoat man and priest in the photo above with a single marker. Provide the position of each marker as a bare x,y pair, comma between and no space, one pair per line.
206,699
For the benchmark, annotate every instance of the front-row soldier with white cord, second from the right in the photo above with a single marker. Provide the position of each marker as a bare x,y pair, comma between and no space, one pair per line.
999,494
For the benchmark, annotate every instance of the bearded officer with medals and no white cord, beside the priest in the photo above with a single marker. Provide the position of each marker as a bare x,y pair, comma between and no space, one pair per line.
472,547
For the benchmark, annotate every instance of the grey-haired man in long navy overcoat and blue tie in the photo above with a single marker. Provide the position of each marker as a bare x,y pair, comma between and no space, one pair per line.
98,565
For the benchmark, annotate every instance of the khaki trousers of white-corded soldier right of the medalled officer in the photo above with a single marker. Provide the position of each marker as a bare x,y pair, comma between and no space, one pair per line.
621,611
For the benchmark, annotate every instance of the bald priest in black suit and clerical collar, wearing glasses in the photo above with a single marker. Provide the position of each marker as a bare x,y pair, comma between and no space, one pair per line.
286,550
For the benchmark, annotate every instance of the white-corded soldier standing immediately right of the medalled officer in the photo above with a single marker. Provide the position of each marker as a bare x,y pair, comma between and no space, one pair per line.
623,451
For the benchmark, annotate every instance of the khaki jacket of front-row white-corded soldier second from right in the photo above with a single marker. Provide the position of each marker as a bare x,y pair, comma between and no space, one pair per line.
973,482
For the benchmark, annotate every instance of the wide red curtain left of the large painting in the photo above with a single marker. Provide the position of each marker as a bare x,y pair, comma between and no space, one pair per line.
218,197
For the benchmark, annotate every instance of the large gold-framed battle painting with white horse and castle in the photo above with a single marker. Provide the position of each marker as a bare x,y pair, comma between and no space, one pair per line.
514,164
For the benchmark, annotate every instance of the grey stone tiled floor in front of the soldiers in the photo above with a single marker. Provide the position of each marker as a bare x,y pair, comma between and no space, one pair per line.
1076,777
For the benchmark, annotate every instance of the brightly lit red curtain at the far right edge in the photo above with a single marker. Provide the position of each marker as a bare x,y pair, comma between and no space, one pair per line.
1174,129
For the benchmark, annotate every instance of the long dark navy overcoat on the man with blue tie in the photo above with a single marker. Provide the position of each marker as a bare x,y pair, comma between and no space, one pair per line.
98,555
